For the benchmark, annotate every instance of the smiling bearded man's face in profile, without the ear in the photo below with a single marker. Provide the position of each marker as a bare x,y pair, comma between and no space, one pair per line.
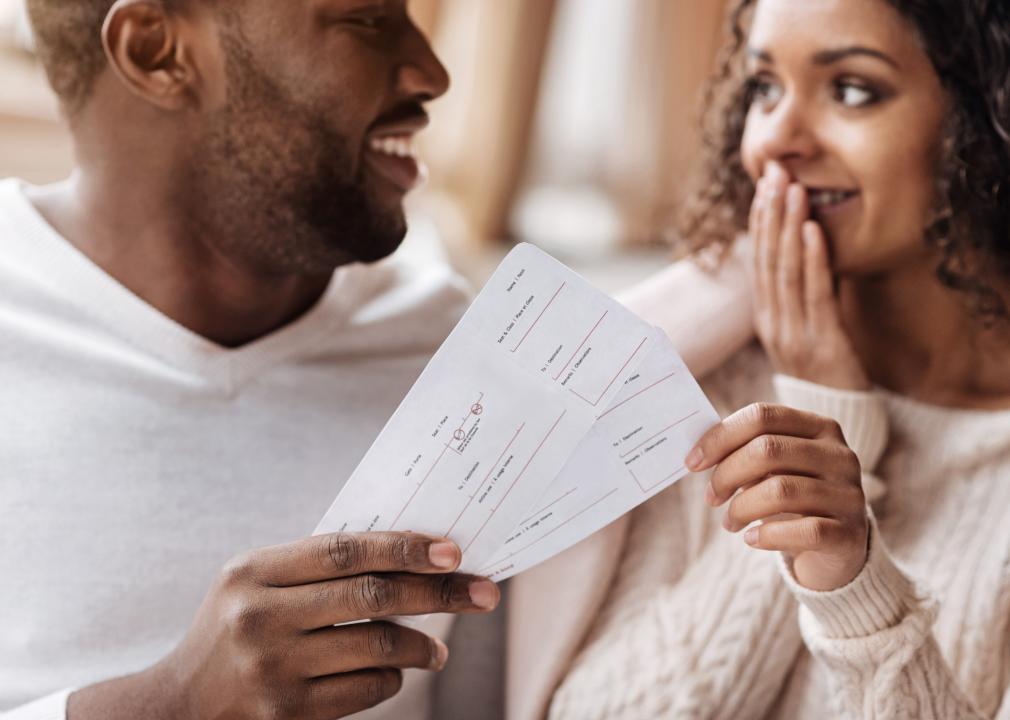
305,163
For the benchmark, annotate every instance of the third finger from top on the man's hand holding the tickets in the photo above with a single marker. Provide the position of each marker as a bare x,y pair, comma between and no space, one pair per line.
367,646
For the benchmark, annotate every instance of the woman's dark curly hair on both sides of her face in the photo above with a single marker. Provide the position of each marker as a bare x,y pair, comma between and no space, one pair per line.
969,45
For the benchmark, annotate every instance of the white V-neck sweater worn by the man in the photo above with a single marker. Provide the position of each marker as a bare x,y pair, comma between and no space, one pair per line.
136,457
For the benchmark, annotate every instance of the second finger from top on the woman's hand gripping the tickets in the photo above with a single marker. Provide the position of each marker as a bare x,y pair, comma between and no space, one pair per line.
780,455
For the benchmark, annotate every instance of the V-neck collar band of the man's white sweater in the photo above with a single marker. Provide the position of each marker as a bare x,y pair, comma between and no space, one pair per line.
70,275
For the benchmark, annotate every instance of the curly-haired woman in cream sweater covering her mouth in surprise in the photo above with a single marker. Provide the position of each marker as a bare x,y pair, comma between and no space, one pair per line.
866,156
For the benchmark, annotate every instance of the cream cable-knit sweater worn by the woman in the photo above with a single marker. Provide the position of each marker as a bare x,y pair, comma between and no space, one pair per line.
699,626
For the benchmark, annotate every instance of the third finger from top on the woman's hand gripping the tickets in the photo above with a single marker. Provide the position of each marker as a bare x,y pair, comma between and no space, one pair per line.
796,495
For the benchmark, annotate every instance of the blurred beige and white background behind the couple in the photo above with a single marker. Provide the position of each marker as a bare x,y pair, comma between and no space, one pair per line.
571,124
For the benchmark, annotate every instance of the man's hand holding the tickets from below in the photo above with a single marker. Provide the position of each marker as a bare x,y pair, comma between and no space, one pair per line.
264,643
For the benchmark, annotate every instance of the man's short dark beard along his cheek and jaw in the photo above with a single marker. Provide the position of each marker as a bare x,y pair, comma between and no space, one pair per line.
275,187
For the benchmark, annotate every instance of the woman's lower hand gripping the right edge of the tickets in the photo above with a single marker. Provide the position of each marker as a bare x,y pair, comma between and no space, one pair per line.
793,472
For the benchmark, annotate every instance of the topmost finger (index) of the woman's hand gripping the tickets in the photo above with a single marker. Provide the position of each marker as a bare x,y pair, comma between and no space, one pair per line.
753,422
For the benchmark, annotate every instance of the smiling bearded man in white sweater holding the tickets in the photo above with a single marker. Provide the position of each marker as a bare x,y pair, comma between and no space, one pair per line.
195,355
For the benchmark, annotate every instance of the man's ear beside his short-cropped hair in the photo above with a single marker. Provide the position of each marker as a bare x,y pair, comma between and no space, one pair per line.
144,48
